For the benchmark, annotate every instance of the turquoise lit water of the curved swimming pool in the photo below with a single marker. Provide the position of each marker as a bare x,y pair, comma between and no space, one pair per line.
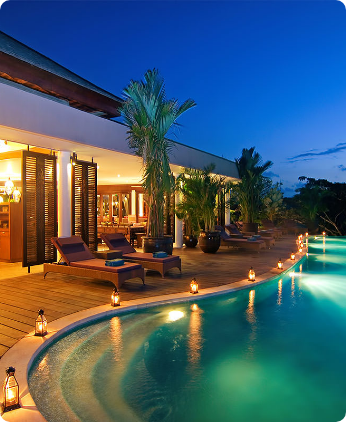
272,353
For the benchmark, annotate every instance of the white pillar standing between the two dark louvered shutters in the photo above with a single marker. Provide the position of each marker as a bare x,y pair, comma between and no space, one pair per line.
64,194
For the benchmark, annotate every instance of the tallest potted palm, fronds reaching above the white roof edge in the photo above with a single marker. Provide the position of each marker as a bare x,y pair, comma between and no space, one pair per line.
150,115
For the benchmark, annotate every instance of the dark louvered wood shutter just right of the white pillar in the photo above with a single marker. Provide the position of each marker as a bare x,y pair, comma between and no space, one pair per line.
84,202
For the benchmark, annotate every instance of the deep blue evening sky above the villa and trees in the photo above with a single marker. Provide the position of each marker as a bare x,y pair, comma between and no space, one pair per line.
265,74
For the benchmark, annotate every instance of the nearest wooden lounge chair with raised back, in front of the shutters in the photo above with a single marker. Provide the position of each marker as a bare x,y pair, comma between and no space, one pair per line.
80,262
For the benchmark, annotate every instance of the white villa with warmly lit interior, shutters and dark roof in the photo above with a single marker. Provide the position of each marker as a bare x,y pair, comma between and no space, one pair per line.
57,126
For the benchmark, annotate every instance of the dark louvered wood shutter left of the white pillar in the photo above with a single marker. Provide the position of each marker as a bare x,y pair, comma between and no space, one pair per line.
39,207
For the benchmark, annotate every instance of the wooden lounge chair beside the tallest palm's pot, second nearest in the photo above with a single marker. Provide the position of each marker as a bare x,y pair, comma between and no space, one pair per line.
162,265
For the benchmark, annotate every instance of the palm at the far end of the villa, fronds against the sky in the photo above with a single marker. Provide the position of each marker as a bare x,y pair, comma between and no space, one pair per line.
252,188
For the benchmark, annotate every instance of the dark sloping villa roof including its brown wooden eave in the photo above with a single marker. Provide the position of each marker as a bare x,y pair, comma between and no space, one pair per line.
22,64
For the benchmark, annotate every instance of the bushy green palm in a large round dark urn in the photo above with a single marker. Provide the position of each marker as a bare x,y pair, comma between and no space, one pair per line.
200,189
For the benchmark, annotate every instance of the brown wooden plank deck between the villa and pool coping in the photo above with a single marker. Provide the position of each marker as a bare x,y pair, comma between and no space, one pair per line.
22,294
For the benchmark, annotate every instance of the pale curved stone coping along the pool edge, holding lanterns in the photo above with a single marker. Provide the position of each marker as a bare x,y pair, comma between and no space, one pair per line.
23,353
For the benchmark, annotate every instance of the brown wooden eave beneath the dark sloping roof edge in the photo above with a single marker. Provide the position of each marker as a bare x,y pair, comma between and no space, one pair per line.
33,77
